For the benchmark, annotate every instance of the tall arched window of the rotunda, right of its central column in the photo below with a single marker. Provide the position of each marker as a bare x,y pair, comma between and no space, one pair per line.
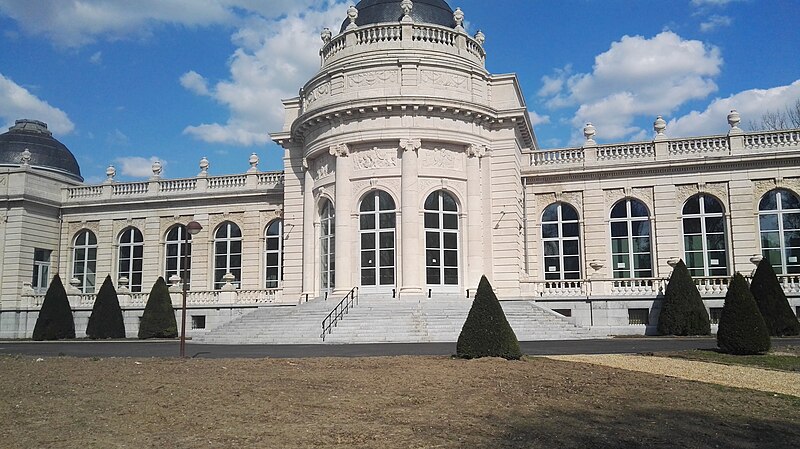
441,239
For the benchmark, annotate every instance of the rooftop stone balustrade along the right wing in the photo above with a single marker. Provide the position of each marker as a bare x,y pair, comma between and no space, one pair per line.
667,149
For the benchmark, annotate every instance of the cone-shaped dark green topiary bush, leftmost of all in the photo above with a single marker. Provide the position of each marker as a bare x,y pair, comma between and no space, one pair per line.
55,318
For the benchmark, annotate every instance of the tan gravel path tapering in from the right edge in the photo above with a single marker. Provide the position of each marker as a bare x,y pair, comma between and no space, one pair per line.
732,376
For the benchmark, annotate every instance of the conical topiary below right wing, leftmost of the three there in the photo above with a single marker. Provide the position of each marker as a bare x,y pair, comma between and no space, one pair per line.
683,311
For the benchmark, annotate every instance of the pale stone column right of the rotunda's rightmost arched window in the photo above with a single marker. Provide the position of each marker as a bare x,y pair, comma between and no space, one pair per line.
474,217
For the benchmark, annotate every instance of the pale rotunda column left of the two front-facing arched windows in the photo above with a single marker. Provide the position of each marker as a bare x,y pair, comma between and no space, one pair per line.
344,255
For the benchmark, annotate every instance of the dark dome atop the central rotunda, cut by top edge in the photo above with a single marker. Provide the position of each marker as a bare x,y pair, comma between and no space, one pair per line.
437,12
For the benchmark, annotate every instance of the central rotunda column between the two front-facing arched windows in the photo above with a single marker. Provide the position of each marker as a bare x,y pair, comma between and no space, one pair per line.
409,216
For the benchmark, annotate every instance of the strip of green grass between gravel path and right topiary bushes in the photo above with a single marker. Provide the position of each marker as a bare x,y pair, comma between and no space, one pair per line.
783,358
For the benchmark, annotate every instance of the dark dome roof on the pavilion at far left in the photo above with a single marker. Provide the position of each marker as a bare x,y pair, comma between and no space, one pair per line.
45,151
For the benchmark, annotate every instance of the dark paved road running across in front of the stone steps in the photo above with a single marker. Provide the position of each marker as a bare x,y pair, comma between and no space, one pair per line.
136,348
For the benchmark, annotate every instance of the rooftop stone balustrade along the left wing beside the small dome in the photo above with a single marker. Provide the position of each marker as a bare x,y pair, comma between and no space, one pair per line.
161,187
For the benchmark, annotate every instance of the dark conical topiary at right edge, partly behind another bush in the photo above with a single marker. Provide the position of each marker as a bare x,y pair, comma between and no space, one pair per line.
772,302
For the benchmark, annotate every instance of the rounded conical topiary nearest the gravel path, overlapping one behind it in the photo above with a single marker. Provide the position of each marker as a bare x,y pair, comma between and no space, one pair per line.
741,328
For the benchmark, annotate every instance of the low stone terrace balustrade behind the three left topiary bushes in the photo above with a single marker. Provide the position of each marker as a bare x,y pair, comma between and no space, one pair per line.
193,298
